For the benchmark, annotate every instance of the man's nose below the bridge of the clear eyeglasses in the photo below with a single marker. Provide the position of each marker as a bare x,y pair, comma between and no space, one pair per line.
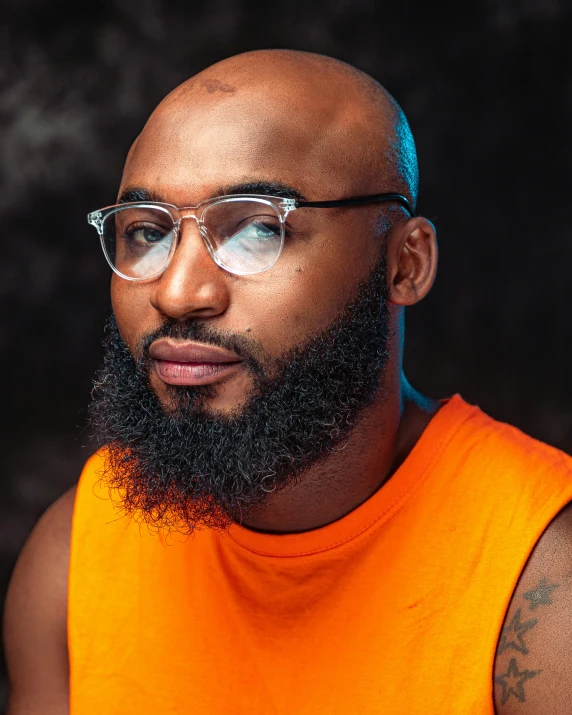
192,286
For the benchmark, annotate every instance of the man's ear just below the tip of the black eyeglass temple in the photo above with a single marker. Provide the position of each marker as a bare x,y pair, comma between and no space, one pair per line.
412,261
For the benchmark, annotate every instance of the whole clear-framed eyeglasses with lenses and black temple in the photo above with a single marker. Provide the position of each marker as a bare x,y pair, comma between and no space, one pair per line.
243,233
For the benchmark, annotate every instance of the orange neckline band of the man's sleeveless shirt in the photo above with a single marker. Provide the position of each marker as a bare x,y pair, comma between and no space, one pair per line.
380,507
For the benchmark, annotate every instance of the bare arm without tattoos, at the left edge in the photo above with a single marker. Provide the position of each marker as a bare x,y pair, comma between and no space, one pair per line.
35,616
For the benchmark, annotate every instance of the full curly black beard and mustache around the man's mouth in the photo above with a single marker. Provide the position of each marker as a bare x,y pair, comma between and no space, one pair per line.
180,467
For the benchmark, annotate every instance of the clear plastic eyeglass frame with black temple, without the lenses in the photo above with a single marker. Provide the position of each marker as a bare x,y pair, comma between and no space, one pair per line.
280,205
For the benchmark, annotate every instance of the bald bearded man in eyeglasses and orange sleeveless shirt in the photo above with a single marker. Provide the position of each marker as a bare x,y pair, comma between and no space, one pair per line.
276,520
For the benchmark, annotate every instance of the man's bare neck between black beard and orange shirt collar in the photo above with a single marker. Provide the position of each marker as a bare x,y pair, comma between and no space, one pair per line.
380,442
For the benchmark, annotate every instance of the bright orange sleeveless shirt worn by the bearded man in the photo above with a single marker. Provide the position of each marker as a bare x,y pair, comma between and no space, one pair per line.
395,609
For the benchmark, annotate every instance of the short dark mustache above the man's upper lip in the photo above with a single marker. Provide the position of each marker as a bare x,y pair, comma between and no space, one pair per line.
246,347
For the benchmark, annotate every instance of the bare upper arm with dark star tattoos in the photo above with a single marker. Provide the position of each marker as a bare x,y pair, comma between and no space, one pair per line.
533,666
